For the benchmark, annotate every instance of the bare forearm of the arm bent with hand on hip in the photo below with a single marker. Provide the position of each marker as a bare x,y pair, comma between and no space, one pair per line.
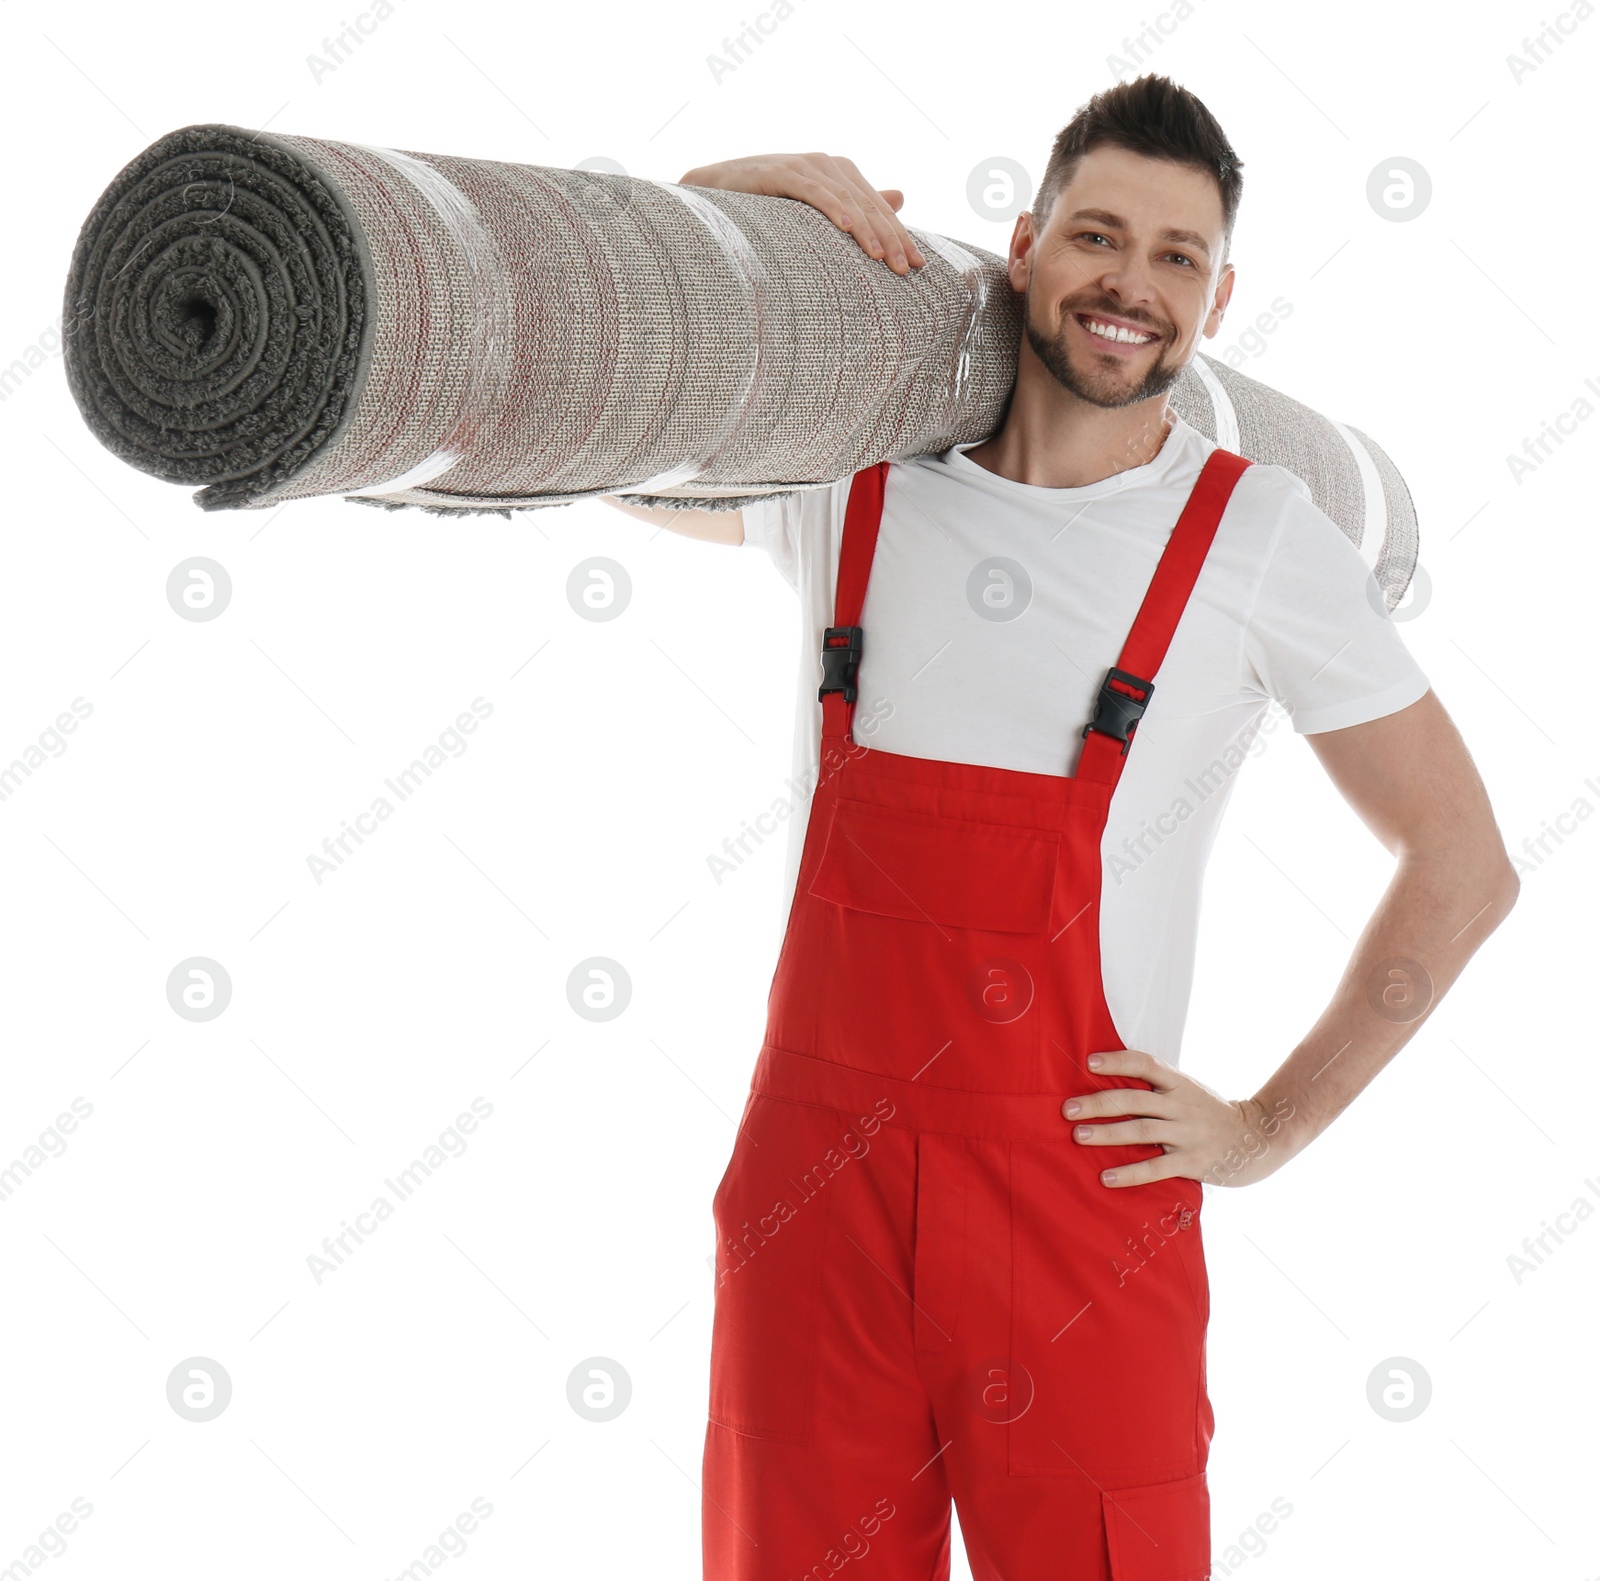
1431,921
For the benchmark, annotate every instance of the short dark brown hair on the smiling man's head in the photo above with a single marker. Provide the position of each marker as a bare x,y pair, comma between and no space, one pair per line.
1150,116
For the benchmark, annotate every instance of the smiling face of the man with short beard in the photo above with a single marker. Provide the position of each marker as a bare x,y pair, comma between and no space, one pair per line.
1126,278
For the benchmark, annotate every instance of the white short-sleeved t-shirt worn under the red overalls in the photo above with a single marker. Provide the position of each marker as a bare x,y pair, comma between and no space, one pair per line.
994,610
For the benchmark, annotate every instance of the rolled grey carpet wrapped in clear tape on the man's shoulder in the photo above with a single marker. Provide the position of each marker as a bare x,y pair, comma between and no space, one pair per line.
281,318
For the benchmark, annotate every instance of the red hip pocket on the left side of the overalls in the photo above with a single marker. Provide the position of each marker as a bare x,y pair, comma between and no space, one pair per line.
770,1236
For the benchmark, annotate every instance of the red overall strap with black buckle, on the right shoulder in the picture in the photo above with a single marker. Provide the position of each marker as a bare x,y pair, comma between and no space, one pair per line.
1126,694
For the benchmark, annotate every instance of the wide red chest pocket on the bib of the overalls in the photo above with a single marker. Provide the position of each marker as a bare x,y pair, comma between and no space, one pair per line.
926,868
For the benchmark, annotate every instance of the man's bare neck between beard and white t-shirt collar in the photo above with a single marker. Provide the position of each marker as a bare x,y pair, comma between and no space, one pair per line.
1065,442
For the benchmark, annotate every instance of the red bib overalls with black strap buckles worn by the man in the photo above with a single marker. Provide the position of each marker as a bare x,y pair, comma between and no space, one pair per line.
924,1291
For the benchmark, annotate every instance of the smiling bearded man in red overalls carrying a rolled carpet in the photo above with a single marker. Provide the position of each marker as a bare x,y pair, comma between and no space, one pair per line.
959,1238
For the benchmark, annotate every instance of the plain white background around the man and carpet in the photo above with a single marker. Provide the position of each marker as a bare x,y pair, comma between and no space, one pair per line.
367,1012
